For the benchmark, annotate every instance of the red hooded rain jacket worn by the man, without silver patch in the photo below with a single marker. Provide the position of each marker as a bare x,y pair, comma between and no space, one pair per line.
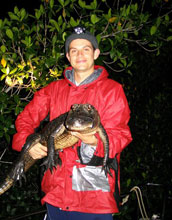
108,97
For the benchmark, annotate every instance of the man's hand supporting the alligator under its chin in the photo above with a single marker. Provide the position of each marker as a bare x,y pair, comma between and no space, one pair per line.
89,138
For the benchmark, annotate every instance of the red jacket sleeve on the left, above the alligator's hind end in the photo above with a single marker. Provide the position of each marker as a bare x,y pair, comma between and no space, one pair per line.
31,116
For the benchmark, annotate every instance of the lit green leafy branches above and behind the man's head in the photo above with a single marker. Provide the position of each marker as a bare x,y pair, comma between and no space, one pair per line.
32,46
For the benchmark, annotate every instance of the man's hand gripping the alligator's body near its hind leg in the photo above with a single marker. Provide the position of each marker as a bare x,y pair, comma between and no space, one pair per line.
38,151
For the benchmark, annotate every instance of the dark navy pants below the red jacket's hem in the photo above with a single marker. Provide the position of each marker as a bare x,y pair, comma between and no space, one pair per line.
54,213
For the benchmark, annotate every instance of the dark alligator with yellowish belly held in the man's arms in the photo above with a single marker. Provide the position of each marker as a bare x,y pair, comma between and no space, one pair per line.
56,136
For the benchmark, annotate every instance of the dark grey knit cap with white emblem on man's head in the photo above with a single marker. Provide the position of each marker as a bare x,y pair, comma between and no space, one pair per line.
81,33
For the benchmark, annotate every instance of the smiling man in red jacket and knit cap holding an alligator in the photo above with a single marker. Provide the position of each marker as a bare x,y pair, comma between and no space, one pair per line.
74,190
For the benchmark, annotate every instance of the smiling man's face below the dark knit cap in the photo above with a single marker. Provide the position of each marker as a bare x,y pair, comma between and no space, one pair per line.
81,55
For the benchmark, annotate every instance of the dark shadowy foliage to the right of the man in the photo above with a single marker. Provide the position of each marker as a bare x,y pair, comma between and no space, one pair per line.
147,159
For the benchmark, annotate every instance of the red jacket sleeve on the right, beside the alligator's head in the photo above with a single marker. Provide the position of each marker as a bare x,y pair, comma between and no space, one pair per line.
115,116
